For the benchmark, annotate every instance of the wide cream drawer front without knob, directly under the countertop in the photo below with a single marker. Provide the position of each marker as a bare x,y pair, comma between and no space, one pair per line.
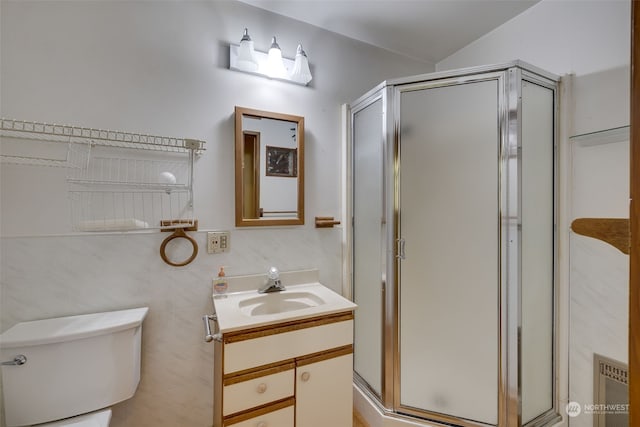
246,354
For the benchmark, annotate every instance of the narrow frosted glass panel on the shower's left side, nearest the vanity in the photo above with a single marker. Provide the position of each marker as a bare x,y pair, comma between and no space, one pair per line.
368,247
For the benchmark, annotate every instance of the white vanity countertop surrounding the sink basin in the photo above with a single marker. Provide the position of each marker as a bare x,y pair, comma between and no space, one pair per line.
232,318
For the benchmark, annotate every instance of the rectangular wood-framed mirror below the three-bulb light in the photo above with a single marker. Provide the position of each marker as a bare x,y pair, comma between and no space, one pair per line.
269,151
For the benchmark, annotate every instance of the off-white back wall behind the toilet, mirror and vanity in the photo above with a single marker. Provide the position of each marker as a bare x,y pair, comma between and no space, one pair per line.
161,68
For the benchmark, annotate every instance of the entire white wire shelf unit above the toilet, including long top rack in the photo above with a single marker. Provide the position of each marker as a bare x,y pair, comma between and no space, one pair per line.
110,186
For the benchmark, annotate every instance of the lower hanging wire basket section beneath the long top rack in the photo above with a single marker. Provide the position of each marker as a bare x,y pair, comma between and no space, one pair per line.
114,189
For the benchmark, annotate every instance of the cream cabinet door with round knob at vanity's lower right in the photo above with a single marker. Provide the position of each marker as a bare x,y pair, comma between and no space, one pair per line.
324,394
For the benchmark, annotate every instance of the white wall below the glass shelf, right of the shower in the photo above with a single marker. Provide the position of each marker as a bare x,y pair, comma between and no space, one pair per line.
599,272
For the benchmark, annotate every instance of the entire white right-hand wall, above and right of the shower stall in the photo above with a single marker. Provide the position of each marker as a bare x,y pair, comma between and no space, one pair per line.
591,41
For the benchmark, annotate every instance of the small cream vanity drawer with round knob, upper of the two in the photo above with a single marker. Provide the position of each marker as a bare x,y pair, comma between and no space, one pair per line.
251,390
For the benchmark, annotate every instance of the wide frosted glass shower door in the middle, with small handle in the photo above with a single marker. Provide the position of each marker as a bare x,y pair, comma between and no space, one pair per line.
449,277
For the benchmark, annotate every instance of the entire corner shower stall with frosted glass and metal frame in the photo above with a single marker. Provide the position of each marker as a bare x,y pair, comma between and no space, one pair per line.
453,245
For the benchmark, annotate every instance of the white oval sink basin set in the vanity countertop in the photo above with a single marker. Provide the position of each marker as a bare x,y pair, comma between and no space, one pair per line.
279,302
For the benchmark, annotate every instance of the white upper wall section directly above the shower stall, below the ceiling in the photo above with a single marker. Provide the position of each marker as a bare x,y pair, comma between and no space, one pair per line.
561,36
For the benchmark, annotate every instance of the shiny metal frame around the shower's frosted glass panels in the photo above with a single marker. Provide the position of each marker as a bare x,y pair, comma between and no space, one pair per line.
510,77
